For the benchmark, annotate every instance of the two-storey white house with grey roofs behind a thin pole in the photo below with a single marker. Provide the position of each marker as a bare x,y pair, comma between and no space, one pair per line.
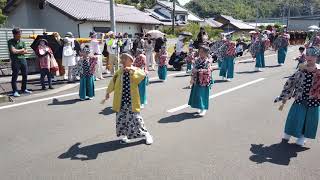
162,11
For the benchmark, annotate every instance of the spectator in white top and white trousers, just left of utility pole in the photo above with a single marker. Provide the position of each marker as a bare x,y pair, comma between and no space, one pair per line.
96,51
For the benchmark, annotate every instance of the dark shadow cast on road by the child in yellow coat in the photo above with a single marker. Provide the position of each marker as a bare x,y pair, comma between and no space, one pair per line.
91,152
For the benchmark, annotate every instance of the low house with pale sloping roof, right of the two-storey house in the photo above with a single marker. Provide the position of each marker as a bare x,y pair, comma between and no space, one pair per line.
233,25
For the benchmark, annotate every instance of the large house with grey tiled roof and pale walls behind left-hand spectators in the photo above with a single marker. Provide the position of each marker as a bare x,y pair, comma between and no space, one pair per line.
77,16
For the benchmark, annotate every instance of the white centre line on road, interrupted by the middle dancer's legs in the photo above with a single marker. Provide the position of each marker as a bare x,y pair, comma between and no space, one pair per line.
218,94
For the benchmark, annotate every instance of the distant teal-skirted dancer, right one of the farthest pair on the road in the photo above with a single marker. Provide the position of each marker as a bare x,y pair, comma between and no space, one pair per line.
281,44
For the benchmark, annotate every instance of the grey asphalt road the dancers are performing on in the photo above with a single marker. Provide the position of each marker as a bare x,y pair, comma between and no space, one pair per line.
55,136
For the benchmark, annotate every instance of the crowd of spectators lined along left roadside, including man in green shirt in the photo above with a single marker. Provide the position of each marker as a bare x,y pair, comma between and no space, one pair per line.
59,63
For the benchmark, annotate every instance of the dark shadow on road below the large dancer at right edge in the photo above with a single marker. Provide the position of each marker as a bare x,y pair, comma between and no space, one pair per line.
279,154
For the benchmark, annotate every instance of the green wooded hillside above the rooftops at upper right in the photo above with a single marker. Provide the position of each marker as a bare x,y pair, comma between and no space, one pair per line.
250,9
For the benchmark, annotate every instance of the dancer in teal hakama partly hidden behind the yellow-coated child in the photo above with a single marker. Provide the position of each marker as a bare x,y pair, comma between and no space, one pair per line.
141,63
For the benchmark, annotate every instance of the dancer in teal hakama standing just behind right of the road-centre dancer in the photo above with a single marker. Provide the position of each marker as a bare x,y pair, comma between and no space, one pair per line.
227,65
